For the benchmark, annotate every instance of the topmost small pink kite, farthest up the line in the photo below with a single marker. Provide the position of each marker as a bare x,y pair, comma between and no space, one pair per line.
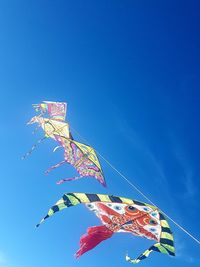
55,110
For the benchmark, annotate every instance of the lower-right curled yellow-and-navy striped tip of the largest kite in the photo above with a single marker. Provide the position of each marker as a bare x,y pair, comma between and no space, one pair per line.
157,247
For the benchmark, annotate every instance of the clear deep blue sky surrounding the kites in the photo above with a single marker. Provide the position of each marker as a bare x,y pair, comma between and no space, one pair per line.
129,71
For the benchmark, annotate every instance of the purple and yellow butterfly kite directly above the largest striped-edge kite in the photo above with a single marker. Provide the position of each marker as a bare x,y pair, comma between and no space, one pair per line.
82,157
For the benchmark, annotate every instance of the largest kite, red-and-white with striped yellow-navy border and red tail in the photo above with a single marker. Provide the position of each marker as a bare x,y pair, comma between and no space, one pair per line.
119,214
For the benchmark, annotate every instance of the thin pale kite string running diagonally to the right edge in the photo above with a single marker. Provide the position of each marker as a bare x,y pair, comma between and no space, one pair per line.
139,191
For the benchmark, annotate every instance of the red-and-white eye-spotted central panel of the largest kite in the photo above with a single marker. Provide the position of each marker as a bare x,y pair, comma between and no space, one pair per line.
139,220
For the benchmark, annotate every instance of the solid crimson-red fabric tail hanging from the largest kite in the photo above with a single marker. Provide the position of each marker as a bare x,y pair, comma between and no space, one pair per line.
92,238
